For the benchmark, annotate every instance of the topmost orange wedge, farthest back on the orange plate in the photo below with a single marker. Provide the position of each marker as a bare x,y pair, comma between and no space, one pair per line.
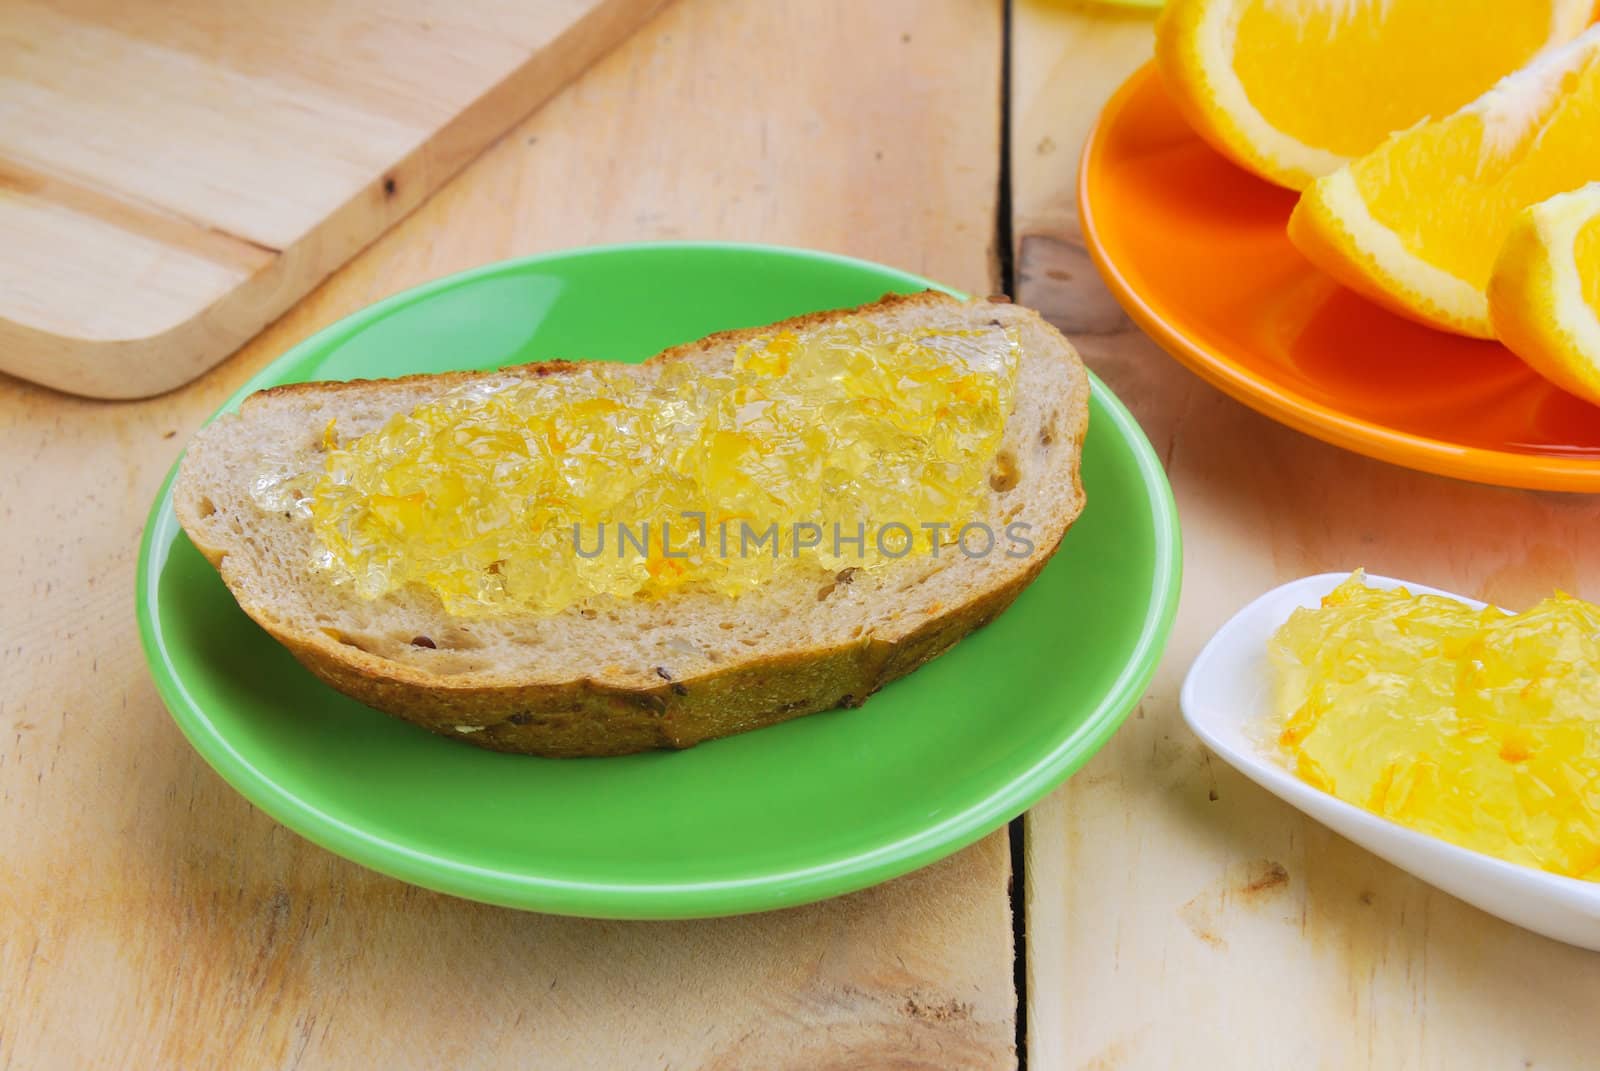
1295,89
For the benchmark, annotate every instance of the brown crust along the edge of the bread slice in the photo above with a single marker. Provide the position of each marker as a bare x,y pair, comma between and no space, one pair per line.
590,718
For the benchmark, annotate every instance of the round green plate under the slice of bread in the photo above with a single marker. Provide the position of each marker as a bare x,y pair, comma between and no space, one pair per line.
778,817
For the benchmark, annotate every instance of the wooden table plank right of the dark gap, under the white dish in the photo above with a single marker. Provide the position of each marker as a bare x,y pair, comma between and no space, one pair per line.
1177,915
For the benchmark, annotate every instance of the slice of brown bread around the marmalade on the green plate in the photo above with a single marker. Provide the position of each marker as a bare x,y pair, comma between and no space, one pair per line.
617,676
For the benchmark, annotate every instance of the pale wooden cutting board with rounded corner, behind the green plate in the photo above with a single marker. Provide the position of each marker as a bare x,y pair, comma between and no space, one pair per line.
177,174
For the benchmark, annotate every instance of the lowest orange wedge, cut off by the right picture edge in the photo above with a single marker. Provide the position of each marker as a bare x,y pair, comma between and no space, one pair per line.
1545,292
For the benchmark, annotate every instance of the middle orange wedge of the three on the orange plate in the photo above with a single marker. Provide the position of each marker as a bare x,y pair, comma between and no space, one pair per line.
1417,223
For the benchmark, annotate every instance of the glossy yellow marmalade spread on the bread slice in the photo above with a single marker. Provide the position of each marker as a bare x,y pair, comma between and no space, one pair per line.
514,494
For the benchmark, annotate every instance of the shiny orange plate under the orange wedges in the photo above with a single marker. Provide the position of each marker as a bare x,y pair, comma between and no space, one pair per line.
1196,252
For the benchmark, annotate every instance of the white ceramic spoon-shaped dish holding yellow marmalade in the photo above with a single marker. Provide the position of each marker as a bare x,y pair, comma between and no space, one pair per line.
1228,700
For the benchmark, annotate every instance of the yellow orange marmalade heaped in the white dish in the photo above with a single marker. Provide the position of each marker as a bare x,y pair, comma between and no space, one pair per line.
1474,726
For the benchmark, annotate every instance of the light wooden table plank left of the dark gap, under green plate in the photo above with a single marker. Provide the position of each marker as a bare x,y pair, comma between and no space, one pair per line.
154,920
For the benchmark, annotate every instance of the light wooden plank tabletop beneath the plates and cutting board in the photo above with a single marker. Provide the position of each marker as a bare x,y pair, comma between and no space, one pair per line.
1175,915
